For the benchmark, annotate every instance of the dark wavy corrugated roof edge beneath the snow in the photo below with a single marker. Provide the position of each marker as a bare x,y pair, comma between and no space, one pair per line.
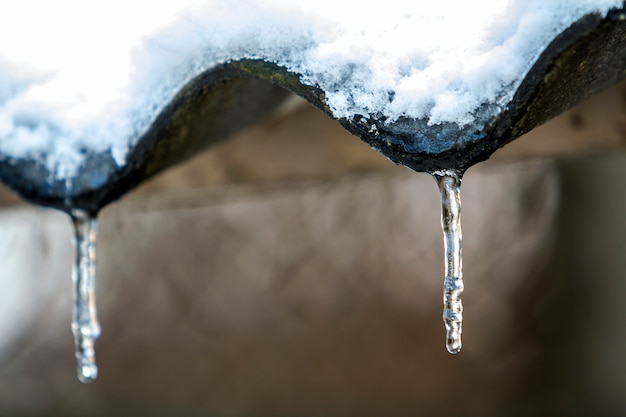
587,57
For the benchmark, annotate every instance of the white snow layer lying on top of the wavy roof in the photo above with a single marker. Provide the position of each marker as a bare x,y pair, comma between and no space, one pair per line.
79,76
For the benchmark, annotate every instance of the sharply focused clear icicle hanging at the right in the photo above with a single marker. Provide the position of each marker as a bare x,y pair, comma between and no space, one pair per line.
450,184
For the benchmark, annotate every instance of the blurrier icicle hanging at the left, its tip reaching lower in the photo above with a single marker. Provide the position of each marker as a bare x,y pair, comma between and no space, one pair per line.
85,324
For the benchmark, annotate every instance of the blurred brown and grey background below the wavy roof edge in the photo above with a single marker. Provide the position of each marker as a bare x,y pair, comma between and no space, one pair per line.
292,270
